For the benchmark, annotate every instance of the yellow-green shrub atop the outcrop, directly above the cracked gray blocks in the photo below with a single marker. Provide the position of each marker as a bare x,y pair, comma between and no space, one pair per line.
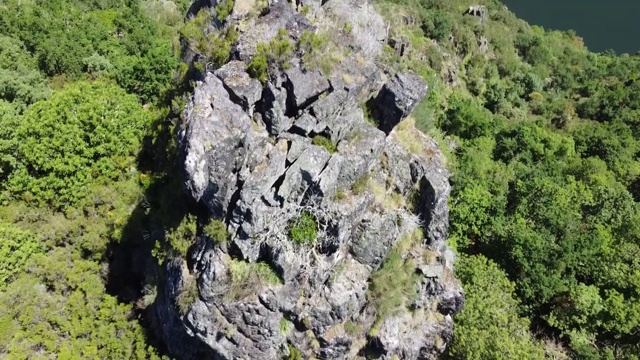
276,52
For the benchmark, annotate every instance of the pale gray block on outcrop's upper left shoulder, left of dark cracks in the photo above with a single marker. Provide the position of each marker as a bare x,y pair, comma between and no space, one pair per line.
243,89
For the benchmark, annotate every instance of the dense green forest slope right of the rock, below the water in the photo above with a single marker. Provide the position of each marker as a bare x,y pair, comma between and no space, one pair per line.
543,140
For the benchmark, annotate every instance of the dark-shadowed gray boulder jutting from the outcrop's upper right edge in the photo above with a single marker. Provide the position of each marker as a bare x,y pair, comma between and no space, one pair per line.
398,98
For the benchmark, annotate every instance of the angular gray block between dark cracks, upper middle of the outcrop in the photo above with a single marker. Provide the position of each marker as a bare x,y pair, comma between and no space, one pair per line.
305,86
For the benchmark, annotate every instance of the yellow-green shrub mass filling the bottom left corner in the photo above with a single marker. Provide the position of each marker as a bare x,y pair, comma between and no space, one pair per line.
64,311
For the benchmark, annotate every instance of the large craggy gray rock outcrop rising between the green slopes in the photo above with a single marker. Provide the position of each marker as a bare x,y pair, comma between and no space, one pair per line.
264,295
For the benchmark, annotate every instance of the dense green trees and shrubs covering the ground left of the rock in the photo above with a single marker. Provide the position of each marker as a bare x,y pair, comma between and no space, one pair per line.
83,85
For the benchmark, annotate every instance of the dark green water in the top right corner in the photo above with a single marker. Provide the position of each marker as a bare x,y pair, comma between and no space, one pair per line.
603,24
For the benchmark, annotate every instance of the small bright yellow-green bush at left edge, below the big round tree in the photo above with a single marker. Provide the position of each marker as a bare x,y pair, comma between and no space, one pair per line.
16,247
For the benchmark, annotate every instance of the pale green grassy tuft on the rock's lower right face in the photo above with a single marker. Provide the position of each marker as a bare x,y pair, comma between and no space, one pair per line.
394,286
